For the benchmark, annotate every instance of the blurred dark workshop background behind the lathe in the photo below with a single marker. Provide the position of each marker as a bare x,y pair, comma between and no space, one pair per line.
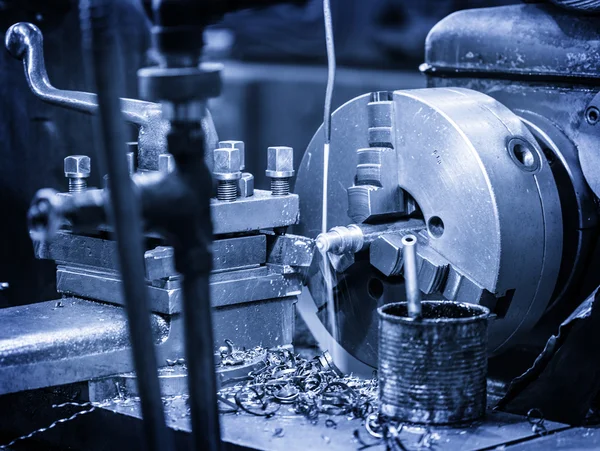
274,89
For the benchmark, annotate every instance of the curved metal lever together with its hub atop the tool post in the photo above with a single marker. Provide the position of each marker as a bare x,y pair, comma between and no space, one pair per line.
24,41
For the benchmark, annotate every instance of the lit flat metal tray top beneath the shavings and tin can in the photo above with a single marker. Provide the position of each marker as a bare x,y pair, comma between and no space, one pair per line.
298,433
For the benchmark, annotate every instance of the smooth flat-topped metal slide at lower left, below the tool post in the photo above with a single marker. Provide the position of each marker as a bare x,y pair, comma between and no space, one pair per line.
65,341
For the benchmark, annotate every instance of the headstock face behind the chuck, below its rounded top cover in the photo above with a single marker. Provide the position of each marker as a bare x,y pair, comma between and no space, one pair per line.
556,118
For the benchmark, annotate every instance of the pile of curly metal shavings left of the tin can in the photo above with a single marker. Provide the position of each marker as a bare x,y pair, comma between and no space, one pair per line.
311,387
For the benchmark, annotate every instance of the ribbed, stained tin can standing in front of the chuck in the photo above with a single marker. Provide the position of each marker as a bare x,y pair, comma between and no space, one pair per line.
433,370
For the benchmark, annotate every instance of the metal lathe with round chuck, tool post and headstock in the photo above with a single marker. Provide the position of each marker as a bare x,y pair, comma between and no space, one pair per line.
493,167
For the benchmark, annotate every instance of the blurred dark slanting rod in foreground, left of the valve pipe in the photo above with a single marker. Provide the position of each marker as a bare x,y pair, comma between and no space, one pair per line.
98,30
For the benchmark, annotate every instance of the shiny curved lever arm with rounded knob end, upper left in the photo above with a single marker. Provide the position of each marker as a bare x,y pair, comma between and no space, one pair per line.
24,41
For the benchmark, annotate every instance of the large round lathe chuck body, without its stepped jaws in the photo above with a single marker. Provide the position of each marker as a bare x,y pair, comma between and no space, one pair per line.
453,159
